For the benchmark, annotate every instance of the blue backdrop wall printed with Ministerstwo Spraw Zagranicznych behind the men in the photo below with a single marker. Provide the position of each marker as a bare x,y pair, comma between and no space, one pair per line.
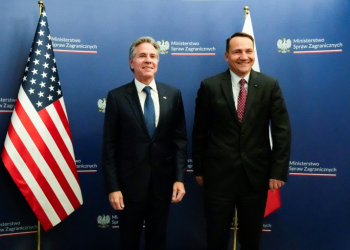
314,212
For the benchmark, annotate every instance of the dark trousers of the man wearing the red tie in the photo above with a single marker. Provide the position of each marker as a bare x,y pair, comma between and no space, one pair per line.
219,212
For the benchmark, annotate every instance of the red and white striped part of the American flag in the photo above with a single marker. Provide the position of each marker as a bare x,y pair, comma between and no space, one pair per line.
38,153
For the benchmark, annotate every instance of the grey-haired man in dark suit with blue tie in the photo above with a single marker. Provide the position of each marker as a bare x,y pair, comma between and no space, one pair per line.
144,150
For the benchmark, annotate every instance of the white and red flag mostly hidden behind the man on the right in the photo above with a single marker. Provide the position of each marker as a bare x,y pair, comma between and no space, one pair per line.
273,199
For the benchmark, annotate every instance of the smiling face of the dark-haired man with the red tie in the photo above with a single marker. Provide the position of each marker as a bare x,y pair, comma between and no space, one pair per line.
241,55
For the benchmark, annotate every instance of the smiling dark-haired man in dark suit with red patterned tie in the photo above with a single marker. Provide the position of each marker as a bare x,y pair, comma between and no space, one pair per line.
232,156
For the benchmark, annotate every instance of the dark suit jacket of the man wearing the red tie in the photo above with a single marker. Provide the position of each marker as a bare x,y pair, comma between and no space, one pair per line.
222,145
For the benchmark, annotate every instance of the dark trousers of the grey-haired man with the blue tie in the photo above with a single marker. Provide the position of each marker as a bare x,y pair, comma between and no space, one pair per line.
151,210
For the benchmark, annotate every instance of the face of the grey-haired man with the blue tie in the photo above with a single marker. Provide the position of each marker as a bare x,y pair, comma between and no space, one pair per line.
145,63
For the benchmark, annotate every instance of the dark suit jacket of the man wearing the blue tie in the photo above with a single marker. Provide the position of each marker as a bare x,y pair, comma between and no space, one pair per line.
133,161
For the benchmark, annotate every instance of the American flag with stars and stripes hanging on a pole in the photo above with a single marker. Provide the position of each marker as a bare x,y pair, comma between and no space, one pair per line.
38,150
